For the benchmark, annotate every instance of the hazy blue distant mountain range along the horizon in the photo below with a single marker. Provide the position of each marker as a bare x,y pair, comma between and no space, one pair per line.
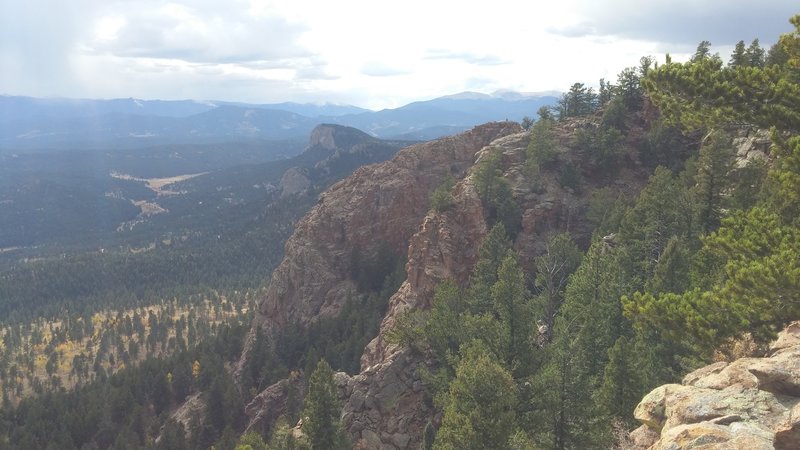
27,122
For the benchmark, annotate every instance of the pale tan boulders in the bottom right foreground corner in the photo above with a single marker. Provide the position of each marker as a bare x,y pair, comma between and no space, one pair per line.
751,403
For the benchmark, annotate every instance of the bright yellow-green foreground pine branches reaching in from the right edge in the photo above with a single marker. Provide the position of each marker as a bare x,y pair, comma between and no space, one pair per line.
752,283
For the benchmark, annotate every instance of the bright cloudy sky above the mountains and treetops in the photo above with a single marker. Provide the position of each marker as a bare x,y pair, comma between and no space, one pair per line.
369,53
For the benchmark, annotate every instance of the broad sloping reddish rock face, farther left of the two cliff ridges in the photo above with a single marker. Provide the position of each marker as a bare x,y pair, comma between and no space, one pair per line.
379,205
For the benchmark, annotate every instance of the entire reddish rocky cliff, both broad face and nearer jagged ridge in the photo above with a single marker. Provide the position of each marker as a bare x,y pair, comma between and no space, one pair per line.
385,405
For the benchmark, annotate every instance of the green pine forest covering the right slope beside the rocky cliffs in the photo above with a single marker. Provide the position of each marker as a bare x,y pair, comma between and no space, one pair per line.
703,264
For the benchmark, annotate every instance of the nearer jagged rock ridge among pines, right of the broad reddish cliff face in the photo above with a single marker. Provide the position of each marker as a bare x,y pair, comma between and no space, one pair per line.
385,406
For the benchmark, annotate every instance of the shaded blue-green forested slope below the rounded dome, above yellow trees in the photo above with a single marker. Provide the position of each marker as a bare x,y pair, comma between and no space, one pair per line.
224,229
